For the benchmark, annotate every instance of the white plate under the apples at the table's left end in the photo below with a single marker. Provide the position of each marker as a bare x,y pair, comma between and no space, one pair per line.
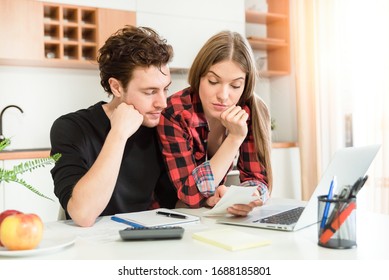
48,244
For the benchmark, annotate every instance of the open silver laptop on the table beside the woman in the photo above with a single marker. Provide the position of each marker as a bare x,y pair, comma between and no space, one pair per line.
348,164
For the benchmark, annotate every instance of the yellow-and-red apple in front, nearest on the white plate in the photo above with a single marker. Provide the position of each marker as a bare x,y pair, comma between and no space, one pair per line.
21,231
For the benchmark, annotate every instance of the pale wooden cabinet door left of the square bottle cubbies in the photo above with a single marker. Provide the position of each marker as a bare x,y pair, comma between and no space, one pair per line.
21,29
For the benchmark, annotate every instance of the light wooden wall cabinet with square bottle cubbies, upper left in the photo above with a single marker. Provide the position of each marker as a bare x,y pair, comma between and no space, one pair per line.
43,34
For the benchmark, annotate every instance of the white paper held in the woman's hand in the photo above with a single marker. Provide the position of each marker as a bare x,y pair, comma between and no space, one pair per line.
235,195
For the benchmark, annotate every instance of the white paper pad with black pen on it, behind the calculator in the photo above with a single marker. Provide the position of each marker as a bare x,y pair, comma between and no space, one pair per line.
150,218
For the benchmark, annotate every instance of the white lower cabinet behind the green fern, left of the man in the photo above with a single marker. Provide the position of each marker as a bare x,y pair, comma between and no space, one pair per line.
15,196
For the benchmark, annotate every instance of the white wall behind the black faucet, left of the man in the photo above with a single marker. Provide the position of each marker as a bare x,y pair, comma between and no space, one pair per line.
44,94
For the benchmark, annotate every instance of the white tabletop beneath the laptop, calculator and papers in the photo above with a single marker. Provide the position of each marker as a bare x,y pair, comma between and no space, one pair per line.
102,241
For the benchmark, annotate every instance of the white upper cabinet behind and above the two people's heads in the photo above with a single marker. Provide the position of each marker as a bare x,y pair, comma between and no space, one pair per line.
186,25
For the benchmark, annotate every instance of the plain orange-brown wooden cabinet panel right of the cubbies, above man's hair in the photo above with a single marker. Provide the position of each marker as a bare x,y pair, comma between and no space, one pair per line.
109,21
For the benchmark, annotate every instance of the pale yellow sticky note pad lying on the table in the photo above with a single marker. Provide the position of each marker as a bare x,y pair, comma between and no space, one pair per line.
230,239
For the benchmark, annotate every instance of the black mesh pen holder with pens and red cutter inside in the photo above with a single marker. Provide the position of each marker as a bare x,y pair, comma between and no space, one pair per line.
337,222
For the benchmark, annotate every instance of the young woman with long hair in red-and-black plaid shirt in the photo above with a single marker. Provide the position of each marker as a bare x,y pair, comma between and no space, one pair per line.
206,125
